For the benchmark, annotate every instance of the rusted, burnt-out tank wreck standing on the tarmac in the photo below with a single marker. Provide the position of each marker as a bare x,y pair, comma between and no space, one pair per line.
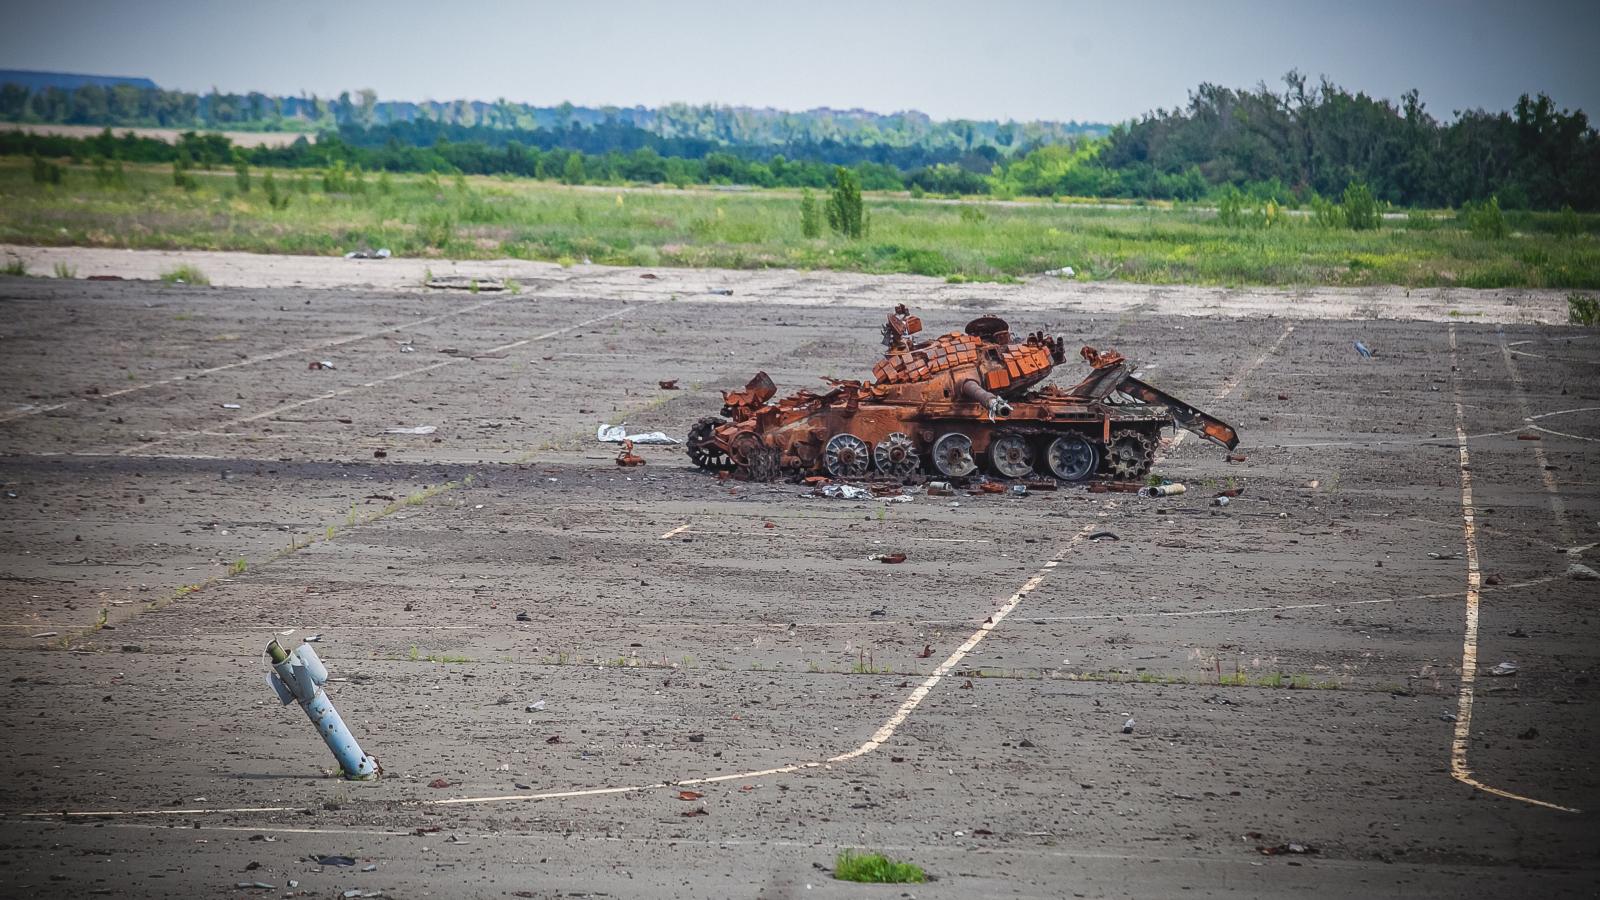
942,408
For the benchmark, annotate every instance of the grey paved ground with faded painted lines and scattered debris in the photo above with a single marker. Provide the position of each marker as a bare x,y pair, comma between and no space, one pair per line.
590,669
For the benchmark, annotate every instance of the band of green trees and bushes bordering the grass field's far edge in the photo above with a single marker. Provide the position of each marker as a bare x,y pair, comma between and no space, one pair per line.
1289,148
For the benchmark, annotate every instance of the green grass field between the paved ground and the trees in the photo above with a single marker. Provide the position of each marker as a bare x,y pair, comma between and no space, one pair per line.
745,230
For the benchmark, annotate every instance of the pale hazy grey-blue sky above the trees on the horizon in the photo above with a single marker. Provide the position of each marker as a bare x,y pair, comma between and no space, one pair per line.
982,60
